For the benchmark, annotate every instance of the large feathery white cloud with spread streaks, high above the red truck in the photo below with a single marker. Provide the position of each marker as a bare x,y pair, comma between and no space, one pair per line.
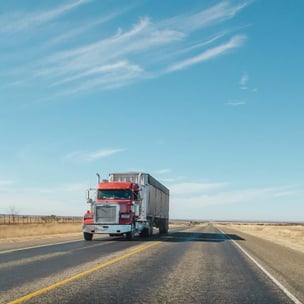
104,63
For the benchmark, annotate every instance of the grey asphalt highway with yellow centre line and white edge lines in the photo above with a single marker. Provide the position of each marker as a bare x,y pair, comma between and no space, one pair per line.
192,265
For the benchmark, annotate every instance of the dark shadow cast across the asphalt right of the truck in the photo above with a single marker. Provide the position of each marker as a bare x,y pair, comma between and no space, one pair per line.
199,237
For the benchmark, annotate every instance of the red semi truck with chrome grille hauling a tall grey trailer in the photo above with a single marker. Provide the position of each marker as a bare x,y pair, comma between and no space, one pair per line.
128,204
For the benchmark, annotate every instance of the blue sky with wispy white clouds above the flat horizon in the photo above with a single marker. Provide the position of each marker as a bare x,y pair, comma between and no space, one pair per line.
206,96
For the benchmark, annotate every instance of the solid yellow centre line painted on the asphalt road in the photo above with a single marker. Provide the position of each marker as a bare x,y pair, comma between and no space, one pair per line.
84,273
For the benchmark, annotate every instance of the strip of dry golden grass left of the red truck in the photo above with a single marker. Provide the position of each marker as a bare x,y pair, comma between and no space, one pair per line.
33,230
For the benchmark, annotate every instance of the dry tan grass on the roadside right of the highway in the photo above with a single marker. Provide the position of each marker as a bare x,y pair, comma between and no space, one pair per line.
291,236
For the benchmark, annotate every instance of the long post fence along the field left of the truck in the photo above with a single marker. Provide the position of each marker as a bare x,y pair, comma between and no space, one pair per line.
8,219
